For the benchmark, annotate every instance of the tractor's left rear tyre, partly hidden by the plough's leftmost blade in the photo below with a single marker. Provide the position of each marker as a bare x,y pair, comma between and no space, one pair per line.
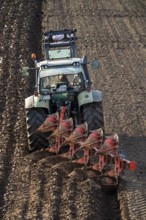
34,118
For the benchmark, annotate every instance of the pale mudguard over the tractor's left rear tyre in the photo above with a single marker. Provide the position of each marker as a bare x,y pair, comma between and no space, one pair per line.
36,102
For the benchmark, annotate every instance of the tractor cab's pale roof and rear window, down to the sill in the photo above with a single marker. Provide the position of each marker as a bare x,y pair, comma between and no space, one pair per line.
68,77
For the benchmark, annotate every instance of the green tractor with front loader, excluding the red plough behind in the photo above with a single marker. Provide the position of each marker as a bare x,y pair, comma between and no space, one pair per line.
62,79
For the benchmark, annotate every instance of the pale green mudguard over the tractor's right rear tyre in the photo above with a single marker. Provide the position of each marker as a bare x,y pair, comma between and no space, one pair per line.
86,97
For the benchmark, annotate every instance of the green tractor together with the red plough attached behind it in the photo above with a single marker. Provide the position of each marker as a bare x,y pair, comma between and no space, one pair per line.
66,111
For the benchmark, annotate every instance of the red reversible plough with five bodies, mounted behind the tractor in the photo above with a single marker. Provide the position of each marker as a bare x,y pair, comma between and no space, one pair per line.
109,163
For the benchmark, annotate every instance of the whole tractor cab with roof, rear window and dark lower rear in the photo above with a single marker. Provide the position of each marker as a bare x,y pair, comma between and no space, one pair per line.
62,83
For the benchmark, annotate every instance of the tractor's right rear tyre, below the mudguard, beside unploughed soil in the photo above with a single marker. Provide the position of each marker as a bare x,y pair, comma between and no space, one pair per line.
93,115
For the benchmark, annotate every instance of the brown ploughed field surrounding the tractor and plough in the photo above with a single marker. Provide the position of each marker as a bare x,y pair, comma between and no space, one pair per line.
39,186
